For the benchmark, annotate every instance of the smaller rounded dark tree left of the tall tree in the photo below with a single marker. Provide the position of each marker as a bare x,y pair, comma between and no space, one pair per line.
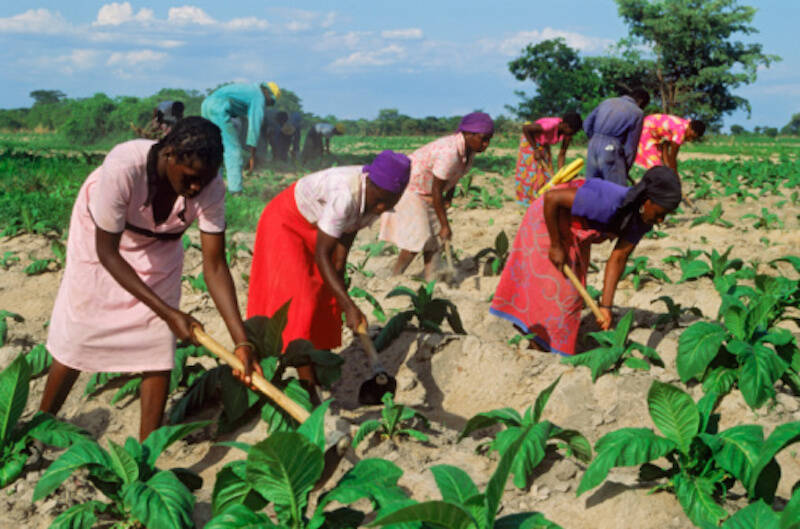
564,80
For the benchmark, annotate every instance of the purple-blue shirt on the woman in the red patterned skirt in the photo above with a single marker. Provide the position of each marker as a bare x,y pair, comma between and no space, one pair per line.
598,200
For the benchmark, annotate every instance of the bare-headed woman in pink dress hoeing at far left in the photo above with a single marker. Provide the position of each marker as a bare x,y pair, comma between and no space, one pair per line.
117,306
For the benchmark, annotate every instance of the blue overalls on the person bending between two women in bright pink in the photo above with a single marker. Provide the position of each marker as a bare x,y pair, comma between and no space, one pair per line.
618,117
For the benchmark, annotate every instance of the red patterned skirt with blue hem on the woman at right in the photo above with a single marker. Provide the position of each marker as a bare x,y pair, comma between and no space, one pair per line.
535,296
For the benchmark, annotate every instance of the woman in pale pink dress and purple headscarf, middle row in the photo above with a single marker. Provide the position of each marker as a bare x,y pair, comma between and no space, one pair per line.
420,216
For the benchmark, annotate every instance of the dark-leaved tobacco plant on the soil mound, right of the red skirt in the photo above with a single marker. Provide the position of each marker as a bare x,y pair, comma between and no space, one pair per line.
429,311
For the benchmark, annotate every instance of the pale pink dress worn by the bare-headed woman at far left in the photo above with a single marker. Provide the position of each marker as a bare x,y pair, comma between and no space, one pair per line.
97,325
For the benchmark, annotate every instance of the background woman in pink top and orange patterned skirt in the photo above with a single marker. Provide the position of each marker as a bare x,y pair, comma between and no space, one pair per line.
535,161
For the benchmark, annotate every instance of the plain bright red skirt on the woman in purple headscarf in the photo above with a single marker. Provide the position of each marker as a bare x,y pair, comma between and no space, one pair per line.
284,270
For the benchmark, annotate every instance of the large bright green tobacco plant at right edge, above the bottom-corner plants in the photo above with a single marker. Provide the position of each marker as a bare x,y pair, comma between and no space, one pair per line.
744,347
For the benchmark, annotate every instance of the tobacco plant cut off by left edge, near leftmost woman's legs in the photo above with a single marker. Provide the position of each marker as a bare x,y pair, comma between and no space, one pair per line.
16,437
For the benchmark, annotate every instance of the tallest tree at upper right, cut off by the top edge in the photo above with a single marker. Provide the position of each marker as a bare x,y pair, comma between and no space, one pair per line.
695,60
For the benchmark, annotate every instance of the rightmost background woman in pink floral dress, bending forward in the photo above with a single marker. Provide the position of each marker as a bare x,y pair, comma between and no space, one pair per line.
662,137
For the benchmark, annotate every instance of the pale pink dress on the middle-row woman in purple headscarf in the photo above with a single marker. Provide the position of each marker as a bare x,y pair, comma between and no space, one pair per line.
413,224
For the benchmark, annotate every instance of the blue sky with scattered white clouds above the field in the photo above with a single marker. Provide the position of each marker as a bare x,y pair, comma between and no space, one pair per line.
349,58
